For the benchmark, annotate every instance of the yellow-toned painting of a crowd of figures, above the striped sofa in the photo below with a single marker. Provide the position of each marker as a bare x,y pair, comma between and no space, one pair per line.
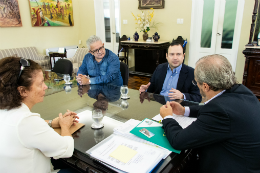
51,12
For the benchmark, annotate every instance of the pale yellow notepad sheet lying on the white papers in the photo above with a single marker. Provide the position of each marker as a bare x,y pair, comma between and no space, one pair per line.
123,153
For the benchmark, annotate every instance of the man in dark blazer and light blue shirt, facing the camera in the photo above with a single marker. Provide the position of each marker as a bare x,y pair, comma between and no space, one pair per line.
173,79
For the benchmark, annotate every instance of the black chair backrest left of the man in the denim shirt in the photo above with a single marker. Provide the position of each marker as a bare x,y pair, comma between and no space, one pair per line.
63,66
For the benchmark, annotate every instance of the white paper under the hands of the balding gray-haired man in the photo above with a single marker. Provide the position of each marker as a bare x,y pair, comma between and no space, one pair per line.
182,120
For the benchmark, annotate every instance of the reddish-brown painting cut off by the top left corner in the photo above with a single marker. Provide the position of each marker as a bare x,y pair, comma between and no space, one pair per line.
9,13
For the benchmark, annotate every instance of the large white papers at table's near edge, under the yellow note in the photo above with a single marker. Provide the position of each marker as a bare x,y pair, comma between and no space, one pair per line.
145,160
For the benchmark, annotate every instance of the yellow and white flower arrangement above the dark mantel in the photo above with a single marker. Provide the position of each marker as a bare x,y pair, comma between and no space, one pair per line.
144,20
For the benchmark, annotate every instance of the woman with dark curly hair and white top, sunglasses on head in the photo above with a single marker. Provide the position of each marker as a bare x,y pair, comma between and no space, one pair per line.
27,141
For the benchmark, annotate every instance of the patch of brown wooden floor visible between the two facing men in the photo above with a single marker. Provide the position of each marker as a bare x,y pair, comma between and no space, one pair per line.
135,82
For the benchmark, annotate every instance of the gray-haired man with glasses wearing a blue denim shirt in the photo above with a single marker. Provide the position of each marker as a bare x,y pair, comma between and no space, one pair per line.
100,65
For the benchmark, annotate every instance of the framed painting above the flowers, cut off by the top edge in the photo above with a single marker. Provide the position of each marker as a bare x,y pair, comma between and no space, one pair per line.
147,4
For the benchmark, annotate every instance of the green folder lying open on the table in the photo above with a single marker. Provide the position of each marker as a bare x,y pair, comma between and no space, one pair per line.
159,138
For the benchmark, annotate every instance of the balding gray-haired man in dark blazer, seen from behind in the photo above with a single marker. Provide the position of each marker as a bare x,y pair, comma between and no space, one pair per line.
226,132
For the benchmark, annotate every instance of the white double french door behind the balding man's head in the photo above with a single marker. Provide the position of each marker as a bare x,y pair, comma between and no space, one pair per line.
215,29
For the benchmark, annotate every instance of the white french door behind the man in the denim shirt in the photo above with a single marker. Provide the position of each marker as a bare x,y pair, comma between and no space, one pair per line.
107,18
